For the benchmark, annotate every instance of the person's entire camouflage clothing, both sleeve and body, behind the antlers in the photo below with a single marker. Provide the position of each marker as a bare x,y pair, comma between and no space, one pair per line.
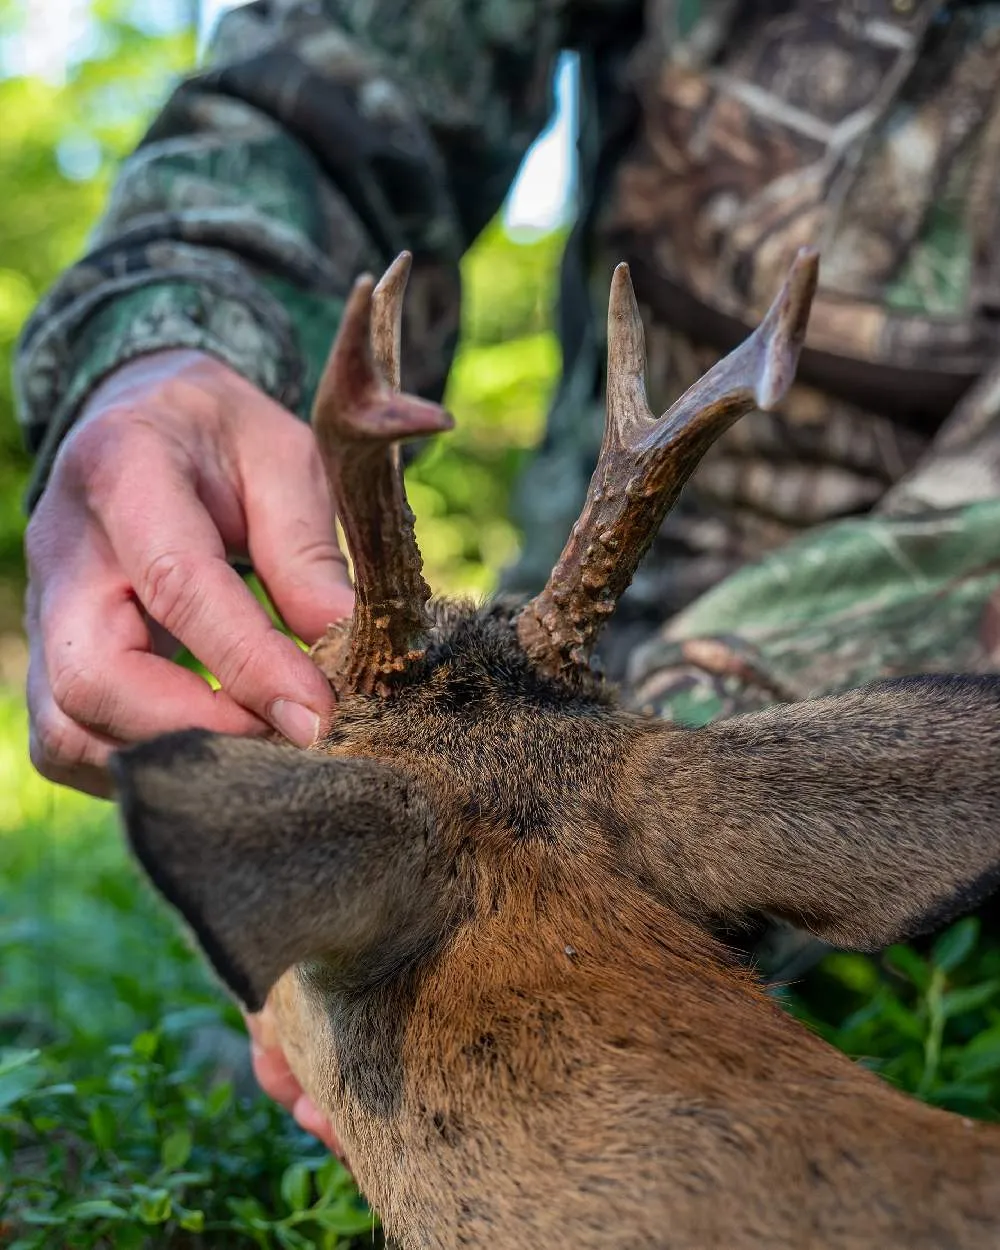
852,536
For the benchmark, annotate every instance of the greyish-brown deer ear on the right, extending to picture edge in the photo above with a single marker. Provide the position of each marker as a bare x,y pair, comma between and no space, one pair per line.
866,818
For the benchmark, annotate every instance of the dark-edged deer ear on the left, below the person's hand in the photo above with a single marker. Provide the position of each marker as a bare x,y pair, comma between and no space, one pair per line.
276,856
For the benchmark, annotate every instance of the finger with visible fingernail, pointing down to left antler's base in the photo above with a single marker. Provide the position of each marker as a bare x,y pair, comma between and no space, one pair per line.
172,553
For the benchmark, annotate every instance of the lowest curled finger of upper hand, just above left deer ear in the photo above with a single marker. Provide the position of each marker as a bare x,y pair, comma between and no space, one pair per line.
102,674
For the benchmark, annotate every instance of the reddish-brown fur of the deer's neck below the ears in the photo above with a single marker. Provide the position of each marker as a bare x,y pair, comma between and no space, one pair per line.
492,1082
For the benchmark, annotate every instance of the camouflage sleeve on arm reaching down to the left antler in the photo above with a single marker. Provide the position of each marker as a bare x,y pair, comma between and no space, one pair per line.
322,138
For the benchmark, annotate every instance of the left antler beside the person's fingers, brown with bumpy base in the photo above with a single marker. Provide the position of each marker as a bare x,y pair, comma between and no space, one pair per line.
359,418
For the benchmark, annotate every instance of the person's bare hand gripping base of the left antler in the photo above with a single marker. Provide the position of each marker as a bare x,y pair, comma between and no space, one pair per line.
176,464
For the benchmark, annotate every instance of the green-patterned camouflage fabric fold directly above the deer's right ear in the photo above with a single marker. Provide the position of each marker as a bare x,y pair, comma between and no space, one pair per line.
912,588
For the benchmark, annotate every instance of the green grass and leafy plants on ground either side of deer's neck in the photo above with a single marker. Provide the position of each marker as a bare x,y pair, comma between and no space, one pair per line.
127,1118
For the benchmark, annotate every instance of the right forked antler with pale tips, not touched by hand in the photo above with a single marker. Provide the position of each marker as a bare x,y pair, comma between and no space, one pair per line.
644,462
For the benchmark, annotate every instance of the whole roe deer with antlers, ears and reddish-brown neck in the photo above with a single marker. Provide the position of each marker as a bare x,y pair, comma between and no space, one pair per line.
482,906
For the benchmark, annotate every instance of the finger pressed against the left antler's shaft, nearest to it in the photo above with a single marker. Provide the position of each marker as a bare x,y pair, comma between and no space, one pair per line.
292,537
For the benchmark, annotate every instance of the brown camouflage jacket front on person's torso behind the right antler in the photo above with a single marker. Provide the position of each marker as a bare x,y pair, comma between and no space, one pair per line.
872,129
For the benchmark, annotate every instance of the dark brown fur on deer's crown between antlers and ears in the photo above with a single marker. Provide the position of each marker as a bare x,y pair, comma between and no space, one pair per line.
504,743
